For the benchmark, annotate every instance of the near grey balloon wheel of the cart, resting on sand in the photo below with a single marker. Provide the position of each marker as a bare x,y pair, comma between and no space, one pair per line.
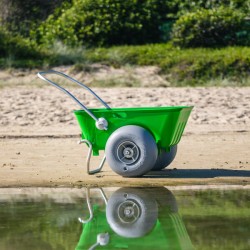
131,151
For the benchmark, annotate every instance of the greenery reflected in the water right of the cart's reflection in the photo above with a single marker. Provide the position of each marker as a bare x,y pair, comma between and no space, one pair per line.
216,219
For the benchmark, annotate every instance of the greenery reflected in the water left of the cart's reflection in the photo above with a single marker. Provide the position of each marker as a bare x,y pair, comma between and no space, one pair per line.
39,225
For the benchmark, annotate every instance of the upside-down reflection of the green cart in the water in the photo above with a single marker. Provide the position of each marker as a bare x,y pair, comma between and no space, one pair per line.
134,218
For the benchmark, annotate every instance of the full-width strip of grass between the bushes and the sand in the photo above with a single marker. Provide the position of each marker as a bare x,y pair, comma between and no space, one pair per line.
229,66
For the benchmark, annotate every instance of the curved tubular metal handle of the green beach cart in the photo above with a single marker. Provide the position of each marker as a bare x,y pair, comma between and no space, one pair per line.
41,76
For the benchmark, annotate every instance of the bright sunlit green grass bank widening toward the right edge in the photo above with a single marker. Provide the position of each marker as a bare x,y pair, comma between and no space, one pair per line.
183,66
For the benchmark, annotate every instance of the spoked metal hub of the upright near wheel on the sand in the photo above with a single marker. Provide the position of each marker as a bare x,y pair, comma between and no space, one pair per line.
128,152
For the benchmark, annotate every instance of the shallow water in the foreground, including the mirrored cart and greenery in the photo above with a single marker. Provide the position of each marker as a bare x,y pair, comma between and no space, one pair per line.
124,218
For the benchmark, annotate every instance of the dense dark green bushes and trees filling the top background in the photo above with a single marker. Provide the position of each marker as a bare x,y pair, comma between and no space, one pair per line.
98,23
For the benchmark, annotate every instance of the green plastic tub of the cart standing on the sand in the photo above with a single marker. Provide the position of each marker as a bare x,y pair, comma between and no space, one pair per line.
166,124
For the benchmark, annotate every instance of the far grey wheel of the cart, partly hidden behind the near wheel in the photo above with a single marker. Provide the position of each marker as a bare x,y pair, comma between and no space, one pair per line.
165,158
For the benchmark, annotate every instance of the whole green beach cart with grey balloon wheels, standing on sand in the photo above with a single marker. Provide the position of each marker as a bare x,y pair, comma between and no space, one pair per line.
135,140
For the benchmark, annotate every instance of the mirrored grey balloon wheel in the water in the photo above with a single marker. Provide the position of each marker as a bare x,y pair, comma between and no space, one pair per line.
131,212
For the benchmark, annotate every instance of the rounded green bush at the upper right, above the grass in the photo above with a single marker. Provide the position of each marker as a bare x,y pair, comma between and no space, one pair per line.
211,28
